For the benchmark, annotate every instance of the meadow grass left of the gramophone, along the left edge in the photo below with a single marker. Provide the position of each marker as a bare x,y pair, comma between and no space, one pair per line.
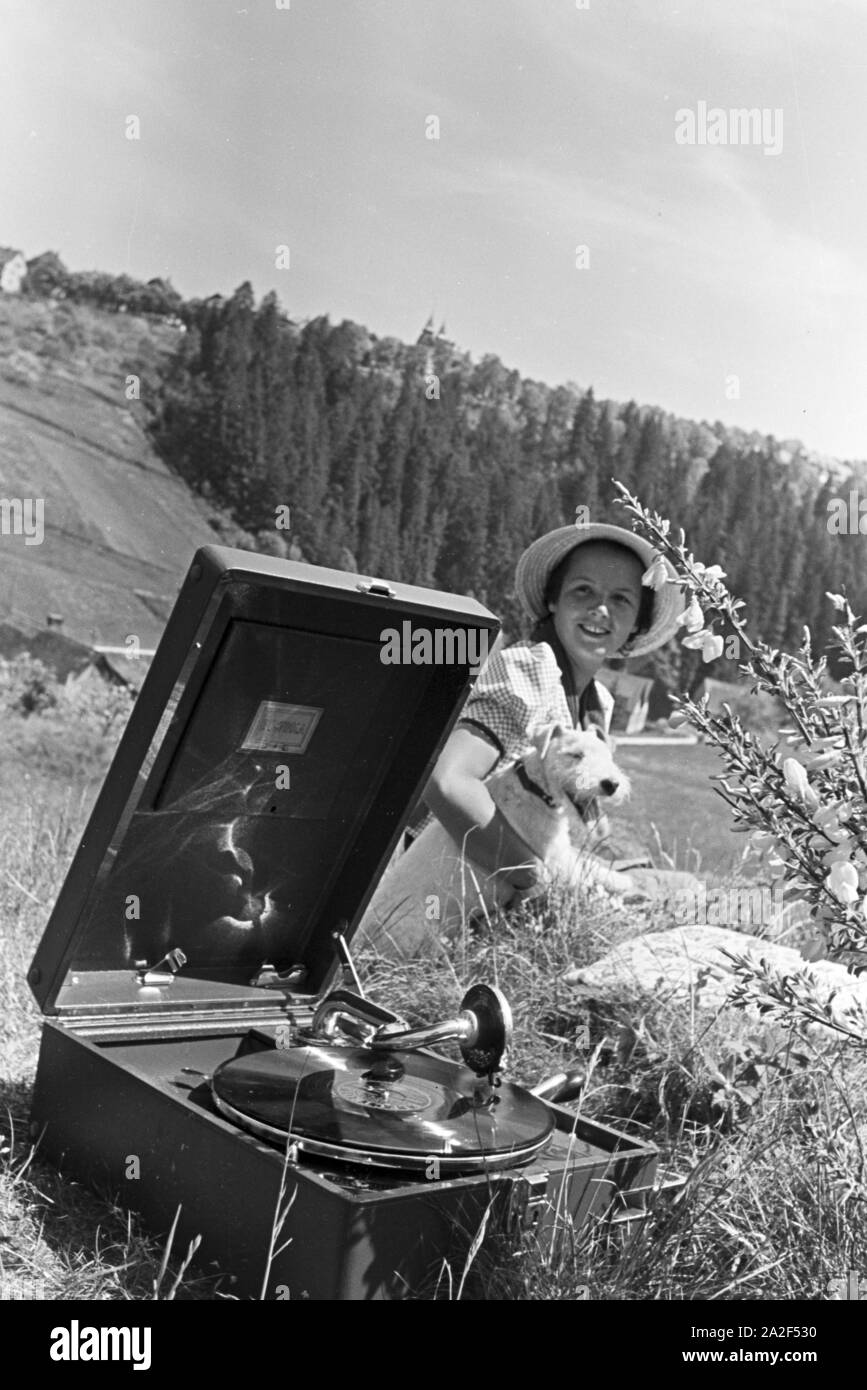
58,1239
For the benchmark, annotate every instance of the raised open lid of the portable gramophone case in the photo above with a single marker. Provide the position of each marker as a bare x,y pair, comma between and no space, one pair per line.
274,753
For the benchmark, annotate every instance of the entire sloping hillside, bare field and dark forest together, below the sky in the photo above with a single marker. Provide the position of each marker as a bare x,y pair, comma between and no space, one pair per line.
405,461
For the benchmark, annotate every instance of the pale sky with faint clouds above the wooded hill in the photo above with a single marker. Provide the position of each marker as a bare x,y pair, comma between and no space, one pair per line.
562,219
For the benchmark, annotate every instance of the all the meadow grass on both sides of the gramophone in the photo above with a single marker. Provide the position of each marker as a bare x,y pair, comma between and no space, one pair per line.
766,1131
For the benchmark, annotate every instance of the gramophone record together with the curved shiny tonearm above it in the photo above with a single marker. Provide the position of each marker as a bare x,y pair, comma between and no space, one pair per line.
388,1106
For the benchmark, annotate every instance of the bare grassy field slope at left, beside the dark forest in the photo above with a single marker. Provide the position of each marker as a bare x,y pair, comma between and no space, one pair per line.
120,528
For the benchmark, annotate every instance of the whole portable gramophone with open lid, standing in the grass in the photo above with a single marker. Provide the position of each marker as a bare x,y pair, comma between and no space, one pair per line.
208,1049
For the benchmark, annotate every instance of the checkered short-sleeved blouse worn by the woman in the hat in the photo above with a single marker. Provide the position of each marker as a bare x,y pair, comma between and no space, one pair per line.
520,690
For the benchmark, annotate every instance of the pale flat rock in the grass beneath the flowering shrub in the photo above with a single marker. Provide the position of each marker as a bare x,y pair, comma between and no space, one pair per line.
690,963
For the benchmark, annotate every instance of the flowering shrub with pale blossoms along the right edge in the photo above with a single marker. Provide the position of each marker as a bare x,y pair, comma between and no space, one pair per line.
802,799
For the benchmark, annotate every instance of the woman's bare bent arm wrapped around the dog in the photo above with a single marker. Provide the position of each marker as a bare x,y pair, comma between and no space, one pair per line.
461,801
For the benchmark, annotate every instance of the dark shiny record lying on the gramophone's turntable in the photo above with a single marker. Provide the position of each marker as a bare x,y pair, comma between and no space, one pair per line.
388,1110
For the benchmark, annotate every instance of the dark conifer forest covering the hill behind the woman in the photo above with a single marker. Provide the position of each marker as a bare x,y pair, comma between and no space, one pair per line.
415,462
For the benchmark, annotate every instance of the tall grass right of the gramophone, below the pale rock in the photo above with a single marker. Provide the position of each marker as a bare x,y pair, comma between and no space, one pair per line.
768,1132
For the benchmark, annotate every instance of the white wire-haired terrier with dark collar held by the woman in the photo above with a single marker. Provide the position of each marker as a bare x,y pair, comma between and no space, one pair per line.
434,888
